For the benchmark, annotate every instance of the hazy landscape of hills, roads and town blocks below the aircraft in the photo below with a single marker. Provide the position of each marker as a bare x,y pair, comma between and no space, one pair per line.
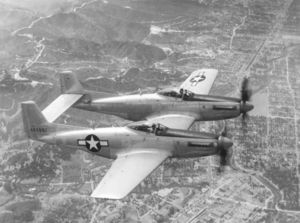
130,46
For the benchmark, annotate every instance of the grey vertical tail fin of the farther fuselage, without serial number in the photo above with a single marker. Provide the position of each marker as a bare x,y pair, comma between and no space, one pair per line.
70,84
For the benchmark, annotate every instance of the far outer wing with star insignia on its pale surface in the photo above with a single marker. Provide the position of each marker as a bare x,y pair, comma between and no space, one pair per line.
200,81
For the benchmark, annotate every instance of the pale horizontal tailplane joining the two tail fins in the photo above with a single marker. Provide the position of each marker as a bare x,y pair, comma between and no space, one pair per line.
60,105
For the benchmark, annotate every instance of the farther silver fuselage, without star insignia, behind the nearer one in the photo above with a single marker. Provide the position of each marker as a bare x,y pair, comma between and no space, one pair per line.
139,107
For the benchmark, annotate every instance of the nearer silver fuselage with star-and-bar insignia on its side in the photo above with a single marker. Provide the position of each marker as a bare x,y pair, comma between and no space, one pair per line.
110,142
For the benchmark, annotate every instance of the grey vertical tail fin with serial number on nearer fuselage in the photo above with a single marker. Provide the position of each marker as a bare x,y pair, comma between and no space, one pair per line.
35,124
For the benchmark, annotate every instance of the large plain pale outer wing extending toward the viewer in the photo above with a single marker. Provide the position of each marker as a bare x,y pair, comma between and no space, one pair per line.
127,171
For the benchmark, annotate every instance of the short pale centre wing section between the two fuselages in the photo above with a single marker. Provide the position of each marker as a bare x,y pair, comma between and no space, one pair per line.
176,121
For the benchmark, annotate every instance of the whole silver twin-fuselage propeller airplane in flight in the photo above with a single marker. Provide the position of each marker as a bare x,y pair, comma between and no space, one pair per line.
140,147
